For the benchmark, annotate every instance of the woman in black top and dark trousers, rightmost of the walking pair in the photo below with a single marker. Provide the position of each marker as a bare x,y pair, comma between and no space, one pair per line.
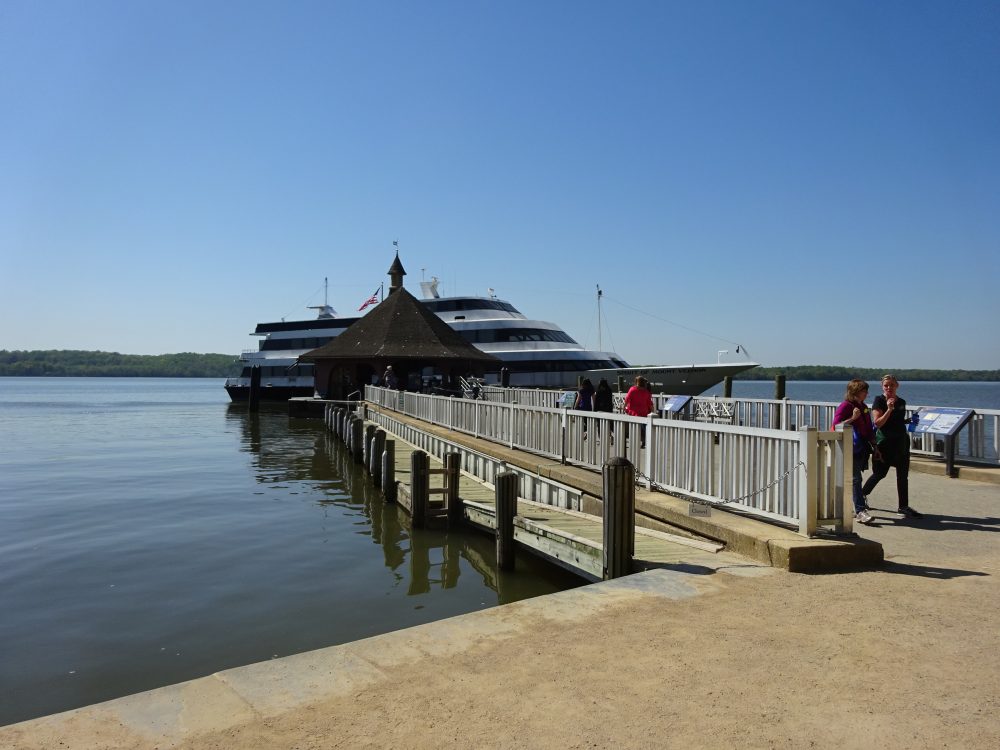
893,444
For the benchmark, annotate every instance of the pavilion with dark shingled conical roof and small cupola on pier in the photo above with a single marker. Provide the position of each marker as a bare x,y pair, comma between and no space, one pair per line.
402,332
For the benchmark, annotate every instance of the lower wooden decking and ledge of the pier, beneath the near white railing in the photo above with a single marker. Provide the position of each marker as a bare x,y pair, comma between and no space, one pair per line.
574,539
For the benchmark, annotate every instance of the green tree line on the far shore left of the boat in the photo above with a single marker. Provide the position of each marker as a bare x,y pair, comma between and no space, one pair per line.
70,363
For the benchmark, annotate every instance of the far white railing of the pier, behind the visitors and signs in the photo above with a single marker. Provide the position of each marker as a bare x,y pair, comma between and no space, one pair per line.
977,442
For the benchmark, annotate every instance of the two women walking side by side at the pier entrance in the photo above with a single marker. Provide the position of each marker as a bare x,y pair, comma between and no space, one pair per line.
879,434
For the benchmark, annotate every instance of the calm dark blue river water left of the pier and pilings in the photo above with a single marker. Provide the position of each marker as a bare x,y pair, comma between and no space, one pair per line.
150,533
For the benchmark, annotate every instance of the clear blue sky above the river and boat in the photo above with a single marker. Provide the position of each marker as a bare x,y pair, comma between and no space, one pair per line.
819,182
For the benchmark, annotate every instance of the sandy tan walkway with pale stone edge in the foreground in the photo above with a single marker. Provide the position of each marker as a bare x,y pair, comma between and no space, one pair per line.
903,656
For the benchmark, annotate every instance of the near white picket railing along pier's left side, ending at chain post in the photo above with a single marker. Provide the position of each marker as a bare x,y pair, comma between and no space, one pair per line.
800,478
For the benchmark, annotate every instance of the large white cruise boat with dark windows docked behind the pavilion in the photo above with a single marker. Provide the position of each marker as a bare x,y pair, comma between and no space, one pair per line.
537,353
